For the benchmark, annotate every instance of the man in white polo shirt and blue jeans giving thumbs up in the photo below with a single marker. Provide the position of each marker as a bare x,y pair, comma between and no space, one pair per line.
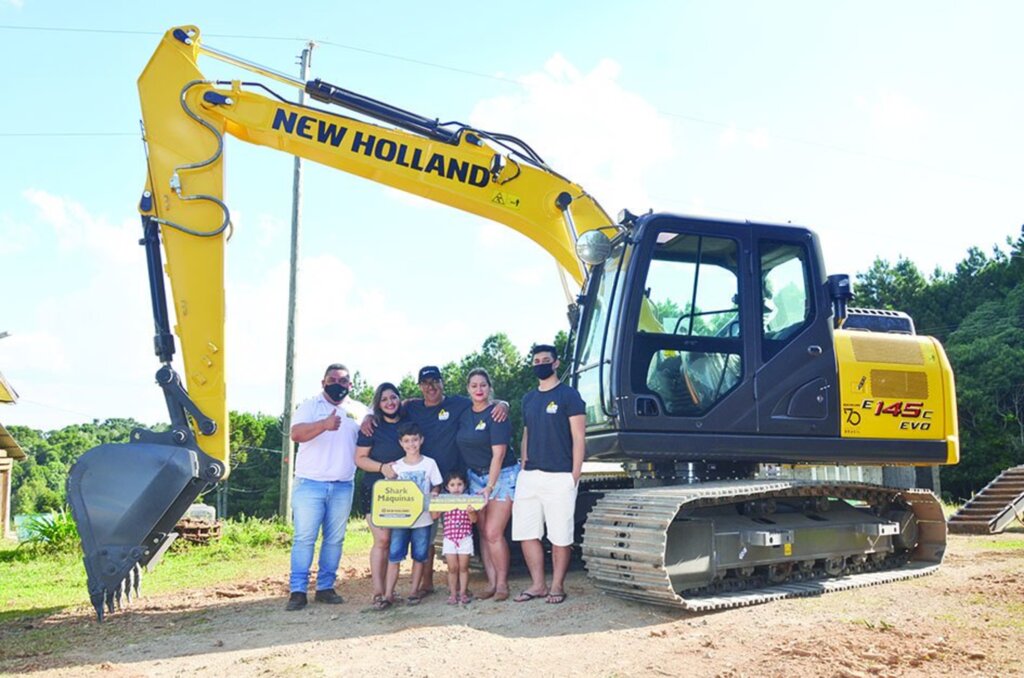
326,428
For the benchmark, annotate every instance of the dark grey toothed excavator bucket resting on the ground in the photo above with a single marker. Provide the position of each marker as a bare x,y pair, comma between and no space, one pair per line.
126,500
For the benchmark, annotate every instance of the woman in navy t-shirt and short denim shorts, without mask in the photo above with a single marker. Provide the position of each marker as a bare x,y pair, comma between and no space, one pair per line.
486,451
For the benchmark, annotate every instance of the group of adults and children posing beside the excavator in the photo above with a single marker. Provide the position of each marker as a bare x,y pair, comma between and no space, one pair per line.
456,444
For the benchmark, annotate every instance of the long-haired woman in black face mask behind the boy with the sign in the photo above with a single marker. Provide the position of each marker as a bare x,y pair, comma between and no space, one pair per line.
375,454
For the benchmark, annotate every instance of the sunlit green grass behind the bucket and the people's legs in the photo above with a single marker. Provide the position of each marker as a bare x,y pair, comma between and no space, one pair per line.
34,584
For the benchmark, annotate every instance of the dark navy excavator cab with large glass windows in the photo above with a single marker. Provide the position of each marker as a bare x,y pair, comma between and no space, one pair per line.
707,342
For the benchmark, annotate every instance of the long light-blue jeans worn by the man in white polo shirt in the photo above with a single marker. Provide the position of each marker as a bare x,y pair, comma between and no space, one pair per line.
317,505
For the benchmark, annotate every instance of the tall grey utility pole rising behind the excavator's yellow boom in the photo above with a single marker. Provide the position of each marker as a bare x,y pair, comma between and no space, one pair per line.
287,448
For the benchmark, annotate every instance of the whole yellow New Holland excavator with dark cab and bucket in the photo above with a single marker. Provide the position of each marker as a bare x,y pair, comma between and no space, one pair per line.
712,356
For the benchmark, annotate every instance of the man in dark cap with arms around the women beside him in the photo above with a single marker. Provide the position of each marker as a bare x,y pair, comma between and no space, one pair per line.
438,416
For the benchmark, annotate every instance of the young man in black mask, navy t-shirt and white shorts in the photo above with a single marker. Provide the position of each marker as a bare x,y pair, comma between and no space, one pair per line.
553,449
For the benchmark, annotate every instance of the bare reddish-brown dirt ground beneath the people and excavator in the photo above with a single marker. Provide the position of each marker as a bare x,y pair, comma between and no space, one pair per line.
966,621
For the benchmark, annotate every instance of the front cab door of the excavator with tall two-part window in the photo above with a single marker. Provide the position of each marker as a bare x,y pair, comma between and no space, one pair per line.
687,335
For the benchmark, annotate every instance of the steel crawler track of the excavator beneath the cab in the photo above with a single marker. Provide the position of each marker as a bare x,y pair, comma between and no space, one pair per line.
723,544
